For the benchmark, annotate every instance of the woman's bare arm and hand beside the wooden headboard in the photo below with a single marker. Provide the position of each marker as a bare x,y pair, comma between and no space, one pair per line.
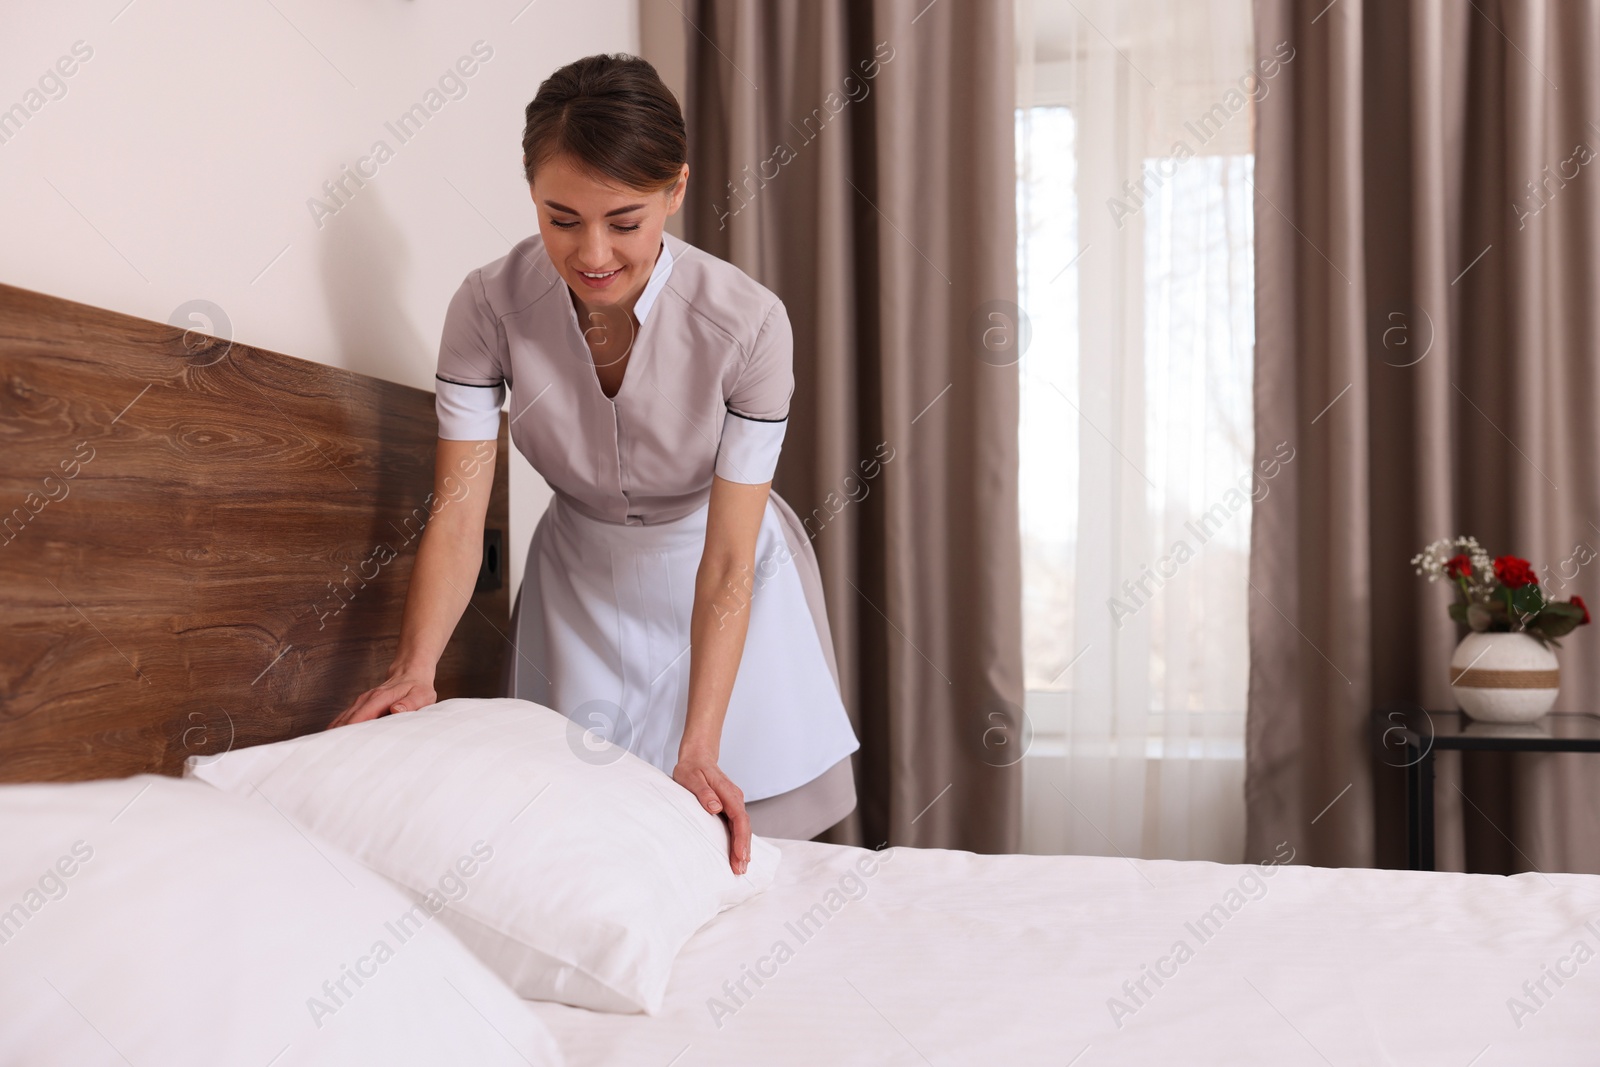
447,569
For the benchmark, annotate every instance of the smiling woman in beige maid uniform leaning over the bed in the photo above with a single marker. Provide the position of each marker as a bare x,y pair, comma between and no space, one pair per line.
670,597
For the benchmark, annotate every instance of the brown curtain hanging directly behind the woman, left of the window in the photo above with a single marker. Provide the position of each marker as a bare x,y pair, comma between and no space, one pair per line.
857,158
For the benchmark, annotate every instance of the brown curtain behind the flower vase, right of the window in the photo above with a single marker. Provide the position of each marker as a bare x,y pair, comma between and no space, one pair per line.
1428,234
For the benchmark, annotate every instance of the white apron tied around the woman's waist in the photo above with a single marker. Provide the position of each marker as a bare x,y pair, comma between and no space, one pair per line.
602,636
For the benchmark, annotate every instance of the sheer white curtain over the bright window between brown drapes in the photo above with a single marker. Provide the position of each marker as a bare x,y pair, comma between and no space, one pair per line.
1137,274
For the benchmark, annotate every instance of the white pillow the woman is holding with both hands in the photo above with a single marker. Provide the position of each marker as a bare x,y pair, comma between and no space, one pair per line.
604,866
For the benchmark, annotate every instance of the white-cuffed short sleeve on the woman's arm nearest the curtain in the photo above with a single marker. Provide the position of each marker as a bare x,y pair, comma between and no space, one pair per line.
753,433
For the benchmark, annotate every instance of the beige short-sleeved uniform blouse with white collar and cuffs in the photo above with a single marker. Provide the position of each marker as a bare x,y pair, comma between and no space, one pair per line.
706,388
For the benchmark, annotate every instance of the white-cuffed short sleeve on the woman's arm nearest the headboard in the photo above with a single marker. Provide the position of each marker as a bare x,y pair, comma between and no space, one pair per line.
471,377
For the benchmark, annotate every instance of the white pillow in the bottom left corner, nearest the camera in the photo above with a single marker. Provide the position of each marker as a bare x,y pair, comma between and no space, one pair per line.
153,921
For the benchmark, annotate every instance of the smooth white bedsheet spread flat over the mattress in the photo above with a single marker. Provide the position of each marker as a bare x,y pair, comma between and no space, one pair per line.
948,957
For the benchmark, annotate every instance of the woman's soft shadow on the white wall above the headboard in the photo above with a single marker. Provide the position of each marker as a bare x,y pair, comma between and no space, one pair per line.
364,257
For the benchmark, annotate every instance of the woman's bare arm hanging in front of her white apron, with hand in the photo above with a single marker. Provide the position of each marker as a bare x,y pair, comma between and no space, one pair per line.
718,626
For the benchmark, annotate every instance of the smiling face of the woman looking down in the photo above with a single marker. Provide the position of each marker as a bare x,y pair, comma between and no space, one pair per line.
602,239
